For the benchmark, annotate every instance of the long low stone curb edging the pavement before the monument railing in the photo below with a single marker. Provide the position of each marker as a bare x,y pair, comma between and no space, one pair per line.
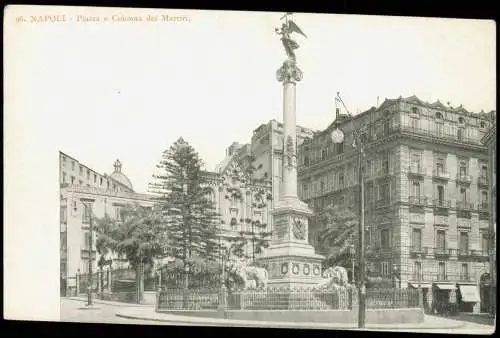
182,321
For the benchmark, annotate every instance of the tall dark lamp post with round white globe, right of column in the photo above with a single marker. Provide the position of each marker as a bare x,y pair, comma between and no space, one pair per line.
338,137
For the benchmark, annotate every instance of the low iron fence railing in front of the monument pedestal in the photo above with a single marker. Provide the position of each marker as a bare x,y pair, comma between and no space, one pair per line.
285,299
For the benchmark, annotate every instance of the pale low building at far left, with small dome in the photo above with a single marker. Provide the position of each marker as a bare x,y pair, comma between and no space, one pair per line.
82,191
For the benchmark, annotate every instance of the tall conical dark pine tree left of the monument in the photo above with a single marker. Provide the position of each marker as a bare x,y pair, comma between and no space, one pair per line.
183,196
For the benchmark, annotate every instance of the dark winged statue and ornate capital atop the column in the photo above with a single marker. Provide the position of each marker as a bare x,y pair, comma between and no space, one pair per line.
289,70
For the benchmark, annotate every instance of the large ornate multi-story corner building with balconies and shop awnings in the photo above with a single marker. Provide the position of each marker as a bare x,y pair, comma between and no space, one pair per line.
426,192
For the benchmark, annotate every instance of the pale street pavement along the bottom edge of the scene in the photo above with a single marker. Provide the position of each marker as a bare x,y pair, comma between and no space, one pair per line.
73,311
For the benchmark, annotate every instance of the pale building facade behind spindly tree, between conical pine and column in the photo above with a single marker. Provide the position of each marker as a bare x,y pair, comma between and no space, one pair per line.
243,205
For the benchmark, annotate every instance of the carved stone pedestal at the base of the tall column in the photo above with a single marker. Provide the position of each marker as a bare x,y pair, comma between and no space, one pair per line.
290,260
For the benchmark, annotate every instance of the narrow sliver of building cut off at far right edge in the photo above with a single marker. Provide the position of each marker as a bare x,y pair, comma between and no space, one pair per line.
490,283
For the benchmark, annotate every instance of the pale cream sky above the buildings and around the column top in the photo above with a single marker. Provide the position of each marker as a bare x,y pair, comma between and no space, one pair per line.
101,91
